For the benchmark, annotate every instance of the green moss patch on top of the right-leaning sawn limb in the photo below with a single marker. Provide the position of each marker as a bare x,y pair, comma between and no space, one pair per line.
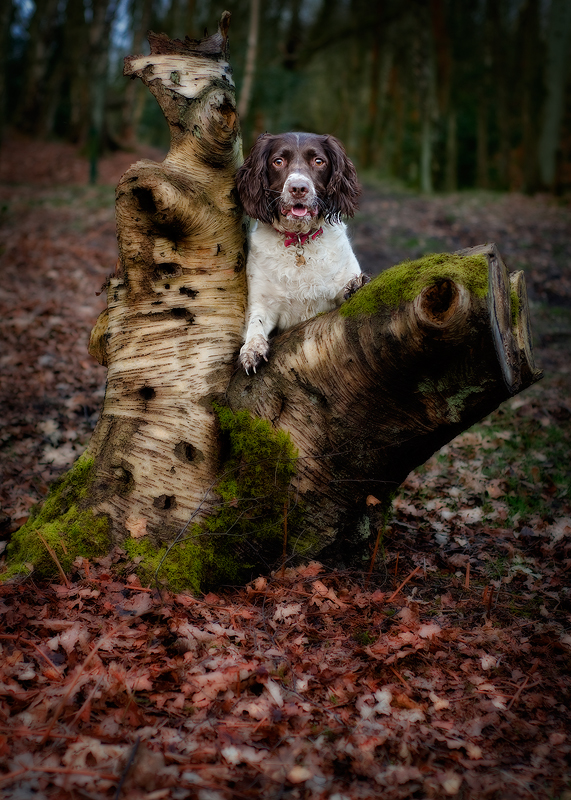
405,281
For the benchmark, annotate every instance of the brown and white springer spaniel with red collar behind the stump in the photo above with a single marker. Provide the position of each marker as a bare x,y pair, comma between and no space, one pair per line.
300,263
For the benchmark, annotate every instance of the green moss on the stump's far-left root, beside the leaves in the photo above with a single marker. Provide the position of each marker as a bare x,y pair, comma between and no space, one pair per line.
62,526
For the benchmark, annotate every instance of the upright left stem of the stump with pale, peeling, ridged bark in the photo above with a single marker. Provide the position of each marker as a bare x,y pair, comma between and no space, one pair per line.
176,308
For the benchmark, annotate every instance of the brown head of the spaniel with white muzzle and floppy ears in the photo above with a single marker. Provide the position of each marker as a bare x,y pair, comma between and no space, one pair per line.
292,180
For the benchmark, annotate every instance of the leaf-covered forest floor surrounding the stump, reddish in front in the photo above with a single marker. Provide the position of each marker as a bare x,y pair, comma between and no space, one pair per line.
446,672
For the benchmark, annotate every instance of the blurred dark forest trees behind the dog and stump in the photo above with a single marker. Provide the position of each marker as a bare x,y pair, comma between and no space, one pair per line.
435,94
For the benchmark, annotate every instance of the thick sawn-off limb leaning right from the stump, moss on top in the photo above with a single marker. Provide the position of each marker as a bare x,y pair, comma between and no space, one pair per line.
371,391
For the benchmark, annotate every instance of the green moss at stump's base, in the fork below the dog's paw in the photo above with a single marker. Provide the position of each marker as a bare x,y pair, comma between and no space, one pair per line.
245,530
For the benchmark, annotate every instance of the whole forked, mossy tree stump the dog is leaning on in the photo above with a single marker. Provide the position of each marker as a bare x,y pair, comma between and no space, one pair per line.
199,471
